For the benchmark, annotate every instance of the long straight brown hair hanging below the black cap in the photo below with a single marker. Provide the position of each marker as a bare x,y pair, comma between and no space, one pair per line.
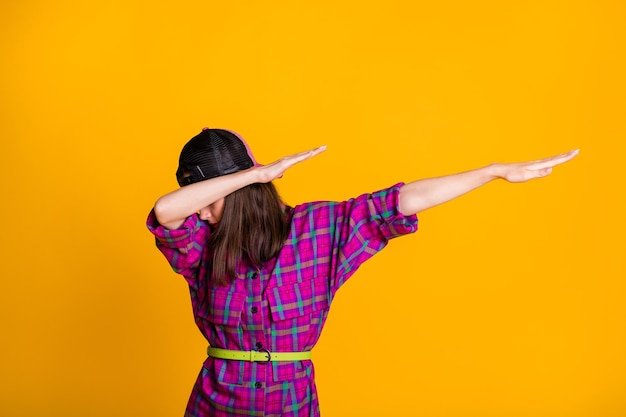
253,227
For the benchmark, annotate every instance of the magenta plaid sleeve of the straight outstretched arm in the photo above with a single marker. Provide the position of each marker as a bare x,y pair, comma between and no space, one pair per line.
364,226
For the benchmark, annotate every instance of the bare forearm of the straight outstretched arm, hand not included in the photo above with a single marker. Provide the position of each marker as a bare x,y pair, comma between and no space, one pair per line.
426,193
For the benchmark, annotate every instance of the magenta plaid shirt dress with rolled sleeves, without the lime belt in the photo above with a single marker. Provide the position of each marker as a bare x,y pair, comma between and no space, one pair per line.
281,305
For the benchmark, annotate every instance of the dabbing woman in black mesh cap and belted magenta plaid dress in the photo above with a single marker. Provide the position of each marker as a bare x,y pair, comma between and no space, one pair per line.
262,275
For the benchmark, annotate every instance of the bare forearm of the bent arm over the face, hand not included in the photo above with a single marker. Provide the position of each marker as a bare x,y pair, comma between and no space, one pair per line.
173,208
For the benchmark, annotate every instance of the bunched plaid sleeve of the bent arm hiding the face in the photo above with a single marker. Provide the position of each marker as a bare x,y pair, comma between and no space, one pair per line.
182,247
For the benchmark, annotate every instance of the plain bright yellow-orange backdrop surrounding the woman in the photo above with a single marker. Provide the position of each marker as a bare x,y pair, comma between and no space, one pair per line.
508,301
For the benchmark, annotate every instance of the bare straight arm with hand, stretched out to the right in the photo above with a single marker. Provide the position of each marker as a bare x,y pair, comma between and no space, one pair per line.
423,194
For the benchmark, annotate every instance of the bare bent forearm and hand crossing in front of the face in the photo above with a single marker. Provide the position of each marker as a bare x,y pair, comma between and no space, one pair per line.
173,208
